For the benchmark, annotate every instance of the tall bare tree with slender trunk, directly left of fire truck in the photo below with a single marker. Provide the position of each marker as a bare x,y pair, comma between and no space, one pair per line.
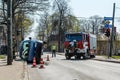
62,8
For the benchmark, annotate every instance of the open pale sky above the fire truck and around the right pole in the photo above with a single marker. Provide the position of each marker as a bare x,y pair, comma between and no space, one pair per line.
87,8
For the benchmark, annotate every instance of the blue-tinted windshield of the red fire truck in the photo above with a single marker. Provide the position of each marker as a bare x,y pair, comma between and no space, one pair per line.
71,37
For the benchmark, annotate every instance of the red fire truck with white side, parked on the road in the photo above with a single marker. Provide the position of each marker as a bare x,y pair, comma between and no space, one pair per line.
80,45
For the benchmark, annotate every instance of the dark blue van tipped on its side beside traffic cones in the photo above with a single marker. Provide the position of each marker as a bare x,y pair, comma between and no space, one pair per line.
30,49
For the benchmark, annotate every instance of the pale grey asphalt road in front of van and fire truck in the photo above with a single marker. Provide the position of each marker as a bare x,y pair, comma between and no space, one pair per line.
61,69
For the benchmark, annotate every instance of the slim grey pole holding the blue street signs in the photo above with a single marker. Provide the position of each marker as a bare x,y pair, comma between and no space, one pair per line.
112,34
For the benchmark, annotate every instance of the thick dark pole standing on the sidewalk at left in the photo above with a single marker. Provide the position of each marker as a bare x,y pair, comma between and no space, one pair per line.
9,33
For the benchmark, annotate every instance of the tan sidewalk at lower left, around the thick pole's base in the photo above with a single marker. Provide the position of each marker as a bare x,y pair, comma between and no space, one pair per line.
16,71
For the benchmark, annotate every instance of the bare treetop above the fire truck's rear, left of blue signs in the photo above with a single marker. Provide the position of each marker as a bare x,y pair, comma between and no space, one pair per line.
91,24
